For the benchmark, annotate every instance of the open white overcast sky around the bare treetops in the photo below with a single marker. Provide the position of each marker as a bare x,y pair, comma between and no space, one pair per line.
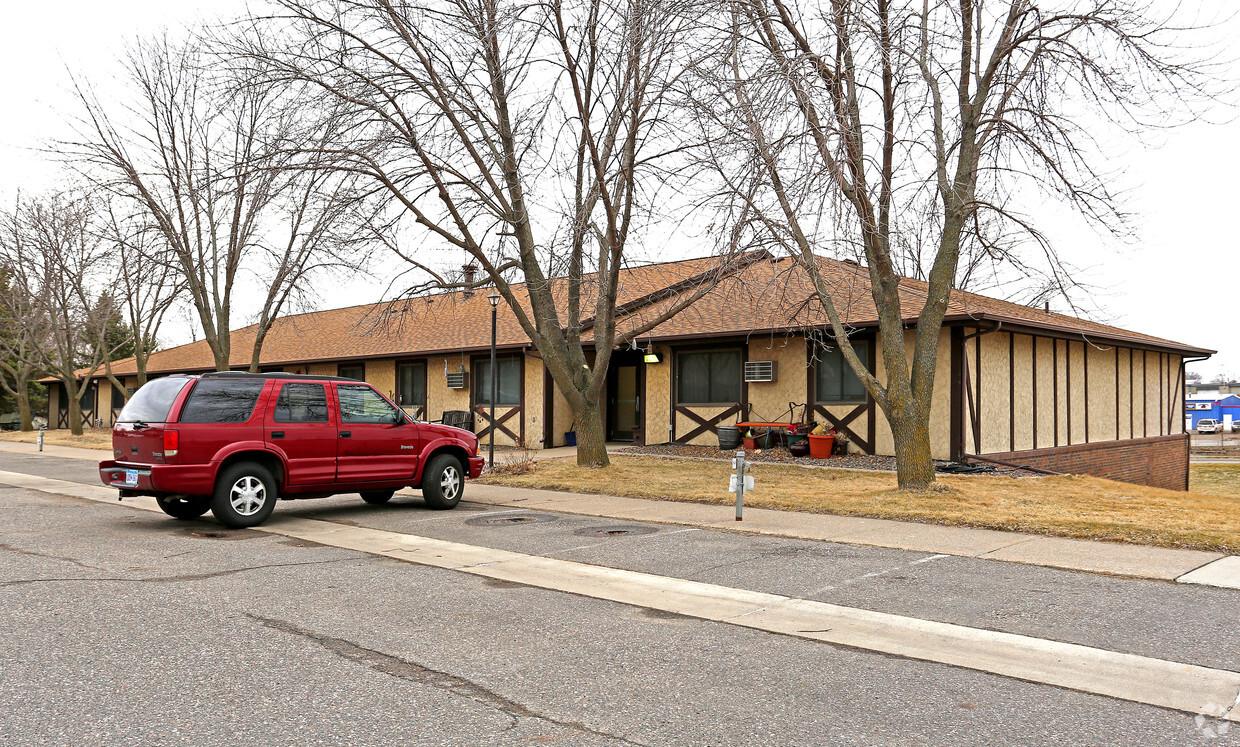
1179,281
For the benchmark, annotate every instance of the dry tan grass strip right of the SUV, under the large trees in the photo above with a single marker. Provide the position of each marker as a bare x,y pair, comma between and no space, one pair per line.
1067,507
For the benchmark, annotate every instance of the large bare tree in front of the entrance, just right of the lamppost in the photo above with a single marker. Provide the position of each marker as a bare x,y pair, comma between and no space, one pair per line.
535,141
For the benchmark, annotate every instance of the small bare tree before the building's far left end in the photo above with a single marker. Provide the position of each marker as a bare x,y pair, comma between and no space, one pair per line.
53,249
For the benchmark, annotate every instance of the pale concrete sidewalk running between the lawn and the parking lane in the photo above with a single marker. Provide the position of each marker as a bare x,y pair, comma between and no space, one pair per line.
1138,561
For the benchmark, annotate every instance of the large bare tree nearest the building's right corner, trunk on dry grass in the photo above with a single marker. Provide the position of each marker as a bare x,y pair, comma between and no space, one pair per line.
877,128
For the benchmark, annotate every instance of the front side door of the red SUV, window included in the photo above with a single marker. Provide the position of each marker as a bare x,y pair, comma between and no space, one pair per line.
376,442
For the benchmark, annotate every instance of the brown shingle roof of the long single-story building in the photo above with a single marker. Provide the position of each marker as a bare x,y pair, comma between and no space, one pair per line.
766,296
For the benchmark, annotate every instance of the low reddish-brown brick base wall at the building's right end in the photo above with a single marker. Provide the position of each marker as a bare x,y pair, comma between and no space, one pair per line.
1160,462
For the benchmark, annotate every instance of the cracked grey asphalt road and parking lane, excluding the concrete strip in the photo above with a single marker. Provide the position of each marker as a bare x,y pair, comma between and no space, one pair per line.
126,627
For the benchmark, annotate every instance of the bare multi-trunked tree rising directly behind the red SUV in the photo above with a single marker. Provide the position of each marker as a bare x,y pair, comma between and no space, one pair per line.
206,159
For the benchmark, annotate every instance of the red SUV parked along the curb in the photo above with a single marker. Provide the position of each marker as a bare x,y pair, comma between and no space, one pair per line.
236,442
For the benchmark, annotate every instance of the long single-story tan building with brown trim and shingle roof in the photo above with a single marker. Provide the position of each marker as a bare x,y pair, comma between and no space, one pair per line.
1014,384
